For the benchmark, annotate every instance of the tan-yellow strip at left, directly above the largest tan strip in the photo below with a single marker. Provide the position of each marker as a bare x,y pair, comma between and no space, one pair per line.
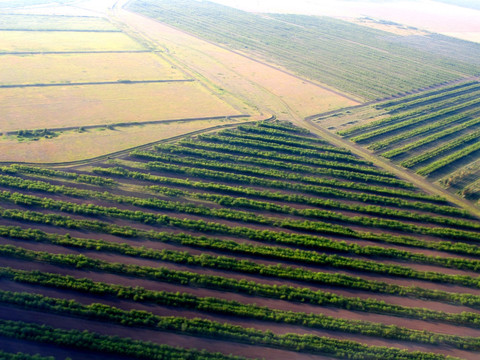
47,69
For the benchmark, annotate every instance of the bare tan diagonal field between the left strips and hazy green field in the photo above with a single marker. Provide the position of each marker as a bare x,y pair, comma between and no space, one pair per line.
258,85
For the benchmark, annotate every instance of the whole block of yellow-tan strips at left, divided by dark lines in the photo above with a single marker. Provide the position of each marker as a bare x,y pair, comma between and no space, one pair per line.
89,73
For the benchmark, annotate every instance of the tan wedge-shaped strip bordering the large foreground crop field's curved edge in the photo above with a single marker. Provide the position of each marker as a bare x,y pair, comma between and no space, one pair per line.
72,146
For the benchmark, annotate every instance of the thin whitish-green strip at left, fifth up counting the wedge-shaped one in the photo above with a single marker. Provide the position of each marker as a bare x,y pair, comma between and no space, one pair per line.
35,22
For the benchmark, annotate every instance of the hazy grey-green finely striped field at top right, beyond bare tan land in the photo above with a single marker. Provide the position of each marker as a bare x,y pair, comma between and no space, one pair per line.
355,59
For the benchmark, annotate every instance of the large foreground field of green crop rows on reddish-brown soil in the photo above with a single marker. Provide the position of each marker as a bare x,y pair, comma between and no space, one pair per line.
262,241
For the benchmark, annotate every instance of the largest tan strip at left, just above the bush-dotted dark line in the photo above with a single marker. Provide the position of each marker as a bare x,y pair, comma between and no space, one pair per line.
54,107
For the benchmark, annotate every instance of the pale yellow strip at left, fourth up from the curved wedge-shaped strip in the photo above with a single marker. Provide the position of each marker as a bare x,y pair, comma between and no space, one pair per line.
37,41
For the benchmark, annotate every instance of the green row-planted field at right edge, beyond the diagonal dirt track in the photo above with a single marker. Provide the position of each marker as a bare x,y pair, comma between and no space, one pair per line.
434,133
